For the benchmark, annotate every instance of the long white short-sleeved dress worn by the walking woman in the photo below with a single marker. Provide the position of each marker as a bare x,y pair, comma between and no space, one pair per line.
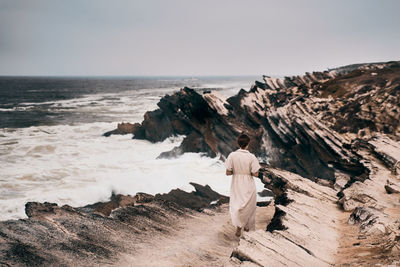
243,198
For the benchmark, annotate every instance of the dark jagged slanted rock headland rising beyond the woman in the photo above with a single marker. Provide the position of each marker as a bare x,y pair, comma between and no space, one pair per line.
296,123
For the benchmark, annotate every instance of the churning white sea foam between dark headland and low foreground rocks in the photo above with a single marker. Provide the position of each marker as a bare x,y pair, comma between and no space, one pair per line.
75,165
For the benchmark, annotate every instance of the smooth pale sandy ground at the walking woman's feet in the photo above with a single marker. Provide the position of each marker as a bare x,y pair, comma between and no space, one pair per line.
204,239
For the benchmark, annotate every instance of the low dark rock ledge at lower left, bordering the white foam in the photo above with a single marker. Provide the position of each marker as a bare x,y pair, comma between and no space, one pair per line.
98,234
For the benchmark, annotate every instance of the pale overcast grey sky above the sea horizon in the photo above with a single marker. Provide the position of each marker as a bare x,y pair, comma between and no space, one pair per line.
172,37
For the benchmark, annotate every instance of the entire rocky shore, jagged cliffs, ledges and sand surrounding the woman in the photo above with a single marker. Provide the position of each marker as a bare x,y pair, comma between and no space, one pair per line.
330,147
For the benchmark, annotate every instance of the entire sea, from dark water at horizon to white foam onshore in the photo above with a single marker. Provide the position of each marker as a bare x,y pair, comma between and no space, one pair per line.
52,146
